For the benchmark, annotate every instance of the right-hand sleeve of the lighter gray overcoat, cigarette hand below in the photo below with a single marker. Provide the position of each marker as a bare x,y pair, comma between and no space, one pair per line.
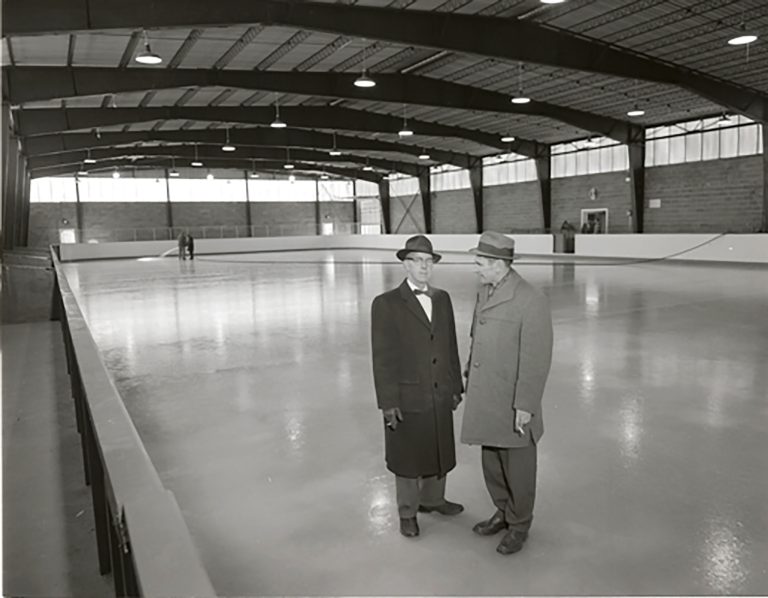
535,357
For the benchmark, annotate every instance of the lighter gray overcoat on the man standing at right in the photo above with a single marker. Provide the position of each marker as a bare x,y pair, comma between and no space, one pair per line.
508,365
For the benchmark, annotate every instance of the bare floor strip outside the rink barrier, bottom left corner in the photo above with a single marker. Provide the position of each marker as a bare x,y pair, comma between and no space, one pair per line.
49,543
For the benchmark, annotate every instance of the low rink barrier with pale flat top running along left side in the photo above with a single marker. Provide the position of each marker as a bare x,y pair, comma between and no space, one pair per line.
141,536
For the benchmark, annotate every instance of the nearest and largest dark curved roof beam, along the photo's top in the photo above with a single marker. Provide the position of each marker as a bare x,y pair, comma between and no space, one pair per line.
471,34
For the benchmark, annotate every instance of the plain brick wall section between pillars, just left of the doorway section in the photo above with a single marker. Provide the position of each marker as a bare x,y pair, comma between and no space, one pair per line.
516,207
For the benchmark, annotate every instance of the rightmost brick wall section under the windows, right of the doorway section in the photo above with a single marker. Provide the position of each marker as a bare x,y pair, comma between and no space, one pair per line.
712,196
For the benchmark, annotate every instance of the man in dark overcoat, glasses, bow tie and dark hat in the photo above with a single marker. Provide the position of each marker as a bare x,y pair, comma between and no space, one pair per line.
417,376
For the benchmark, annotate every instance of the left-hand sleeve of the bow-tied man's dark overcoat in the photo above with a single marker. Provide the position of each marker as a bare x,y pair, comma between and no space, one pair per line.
386,354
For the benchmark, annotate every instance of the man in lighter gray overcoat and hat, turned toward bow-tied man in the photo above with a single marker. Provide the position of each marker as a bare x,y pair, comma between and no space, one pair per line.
508,366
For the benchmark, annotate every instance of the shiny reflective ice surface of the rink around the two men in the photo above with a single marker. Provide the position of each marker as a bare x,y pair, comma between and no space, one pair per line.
249,380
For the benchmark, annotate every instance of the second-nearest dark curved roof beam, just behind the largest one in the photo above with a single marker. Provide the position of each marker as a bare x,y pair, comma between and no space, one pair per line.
37,83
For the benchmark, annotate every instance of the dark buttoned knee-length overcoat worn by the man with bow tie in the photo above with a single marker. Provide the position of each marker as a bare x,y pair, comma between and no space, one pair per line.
416,368
